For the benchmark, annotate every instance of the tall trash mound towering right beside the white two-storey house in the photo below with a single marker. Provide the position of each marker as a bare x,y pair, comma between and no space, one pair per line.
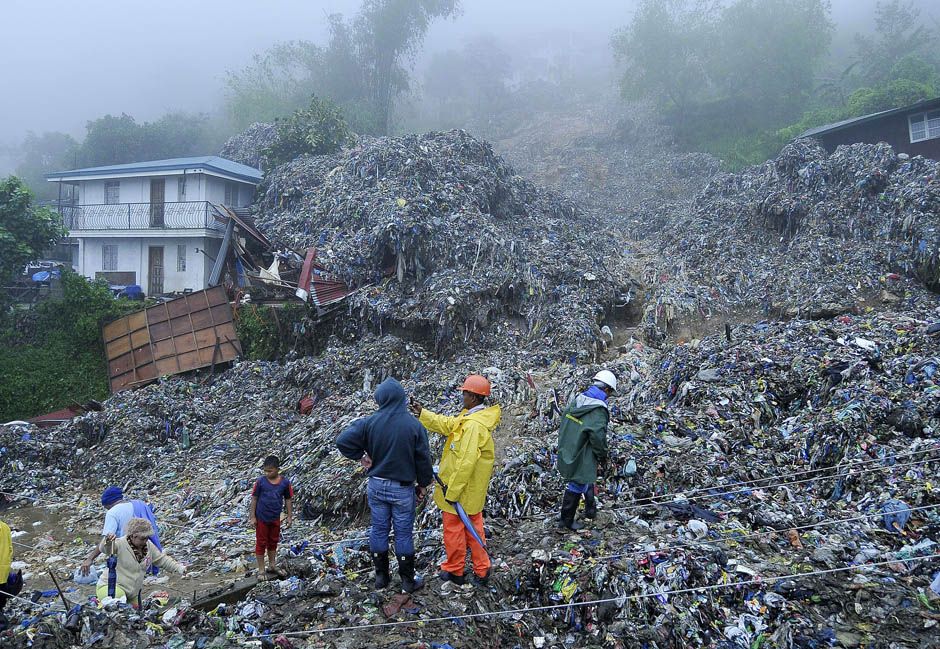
450,244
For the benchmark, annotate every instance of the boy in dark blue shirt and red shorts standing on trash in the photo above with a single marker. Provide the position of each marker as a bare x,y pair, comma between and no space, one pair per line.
271,495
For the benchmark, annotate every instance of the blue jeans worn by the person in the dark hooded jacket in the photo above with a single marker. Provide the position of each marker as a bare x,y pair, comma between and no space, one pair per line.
391,505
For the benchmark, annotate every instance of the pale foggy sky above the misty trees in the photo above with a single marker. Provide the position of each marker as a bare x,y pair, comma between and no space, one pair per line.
67,61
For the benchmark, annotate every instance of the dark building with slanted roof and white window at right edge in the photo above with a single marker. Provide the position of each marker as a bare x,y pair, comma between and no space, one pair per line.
913,129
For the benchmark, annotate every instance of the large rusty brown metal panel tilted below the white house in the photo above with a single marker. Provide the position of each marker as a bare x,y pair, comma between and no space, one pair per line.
181,335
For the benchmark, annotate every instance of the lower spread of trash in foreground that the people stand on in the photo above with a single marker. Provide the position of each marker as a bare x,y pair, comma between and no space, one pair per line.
731,461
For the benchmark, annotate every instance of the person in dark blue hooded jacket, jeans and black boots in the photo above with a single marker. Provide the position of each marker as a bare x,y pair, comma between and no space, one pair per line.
394,447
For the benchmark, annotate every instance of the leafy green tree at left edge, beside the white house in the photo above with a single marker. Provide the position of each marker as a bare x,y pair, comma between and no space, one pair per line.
25,231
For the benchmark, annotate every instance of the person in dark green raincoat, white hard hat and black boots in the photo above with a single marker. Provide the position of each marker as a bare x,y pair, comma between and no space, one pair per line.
582,446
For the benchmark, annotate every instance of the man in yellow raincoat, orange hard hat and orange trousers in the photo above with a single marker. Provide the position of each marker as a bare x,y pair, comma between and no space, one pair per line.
466,467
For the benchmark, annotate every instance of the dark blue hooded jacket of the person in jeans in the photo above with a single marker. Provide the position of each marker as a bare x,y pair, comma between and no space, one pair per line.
393,438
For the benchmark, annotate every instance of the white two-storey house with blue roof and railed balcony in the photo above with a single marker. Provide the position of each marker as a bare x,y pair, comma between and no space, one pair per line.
158,224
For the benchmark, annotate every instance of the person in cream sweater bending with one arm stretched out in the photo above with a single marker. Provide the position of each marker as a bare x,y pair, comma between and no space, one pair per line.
129,558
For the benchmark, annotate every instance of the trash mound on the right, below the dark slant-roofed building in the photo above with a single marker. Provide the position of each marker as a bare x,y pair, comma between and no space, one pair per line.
804,234
